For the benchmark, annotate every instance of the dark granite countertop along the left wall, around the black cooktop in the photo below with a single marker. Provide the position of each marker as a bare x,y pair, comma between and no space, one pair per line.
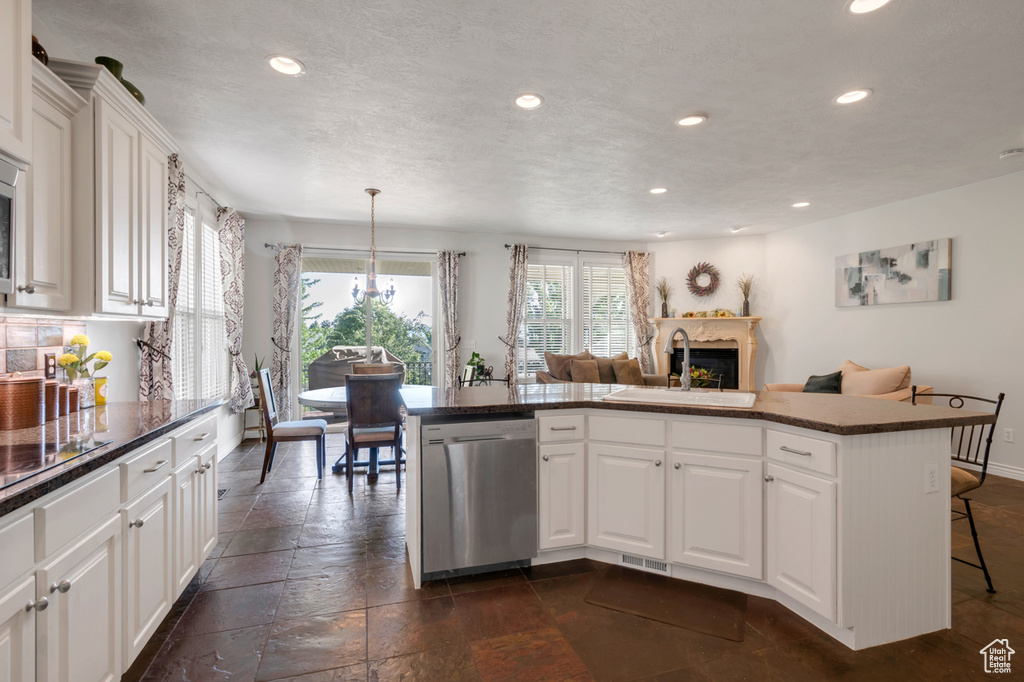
127,425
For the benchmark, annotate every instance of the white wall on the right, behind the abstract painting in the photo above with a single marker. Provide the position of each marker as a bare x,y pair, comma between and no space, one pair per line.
969,345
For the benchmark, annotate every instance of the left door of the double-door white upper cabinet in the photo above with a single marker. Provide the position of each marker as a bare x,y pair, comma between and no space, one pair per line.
117,209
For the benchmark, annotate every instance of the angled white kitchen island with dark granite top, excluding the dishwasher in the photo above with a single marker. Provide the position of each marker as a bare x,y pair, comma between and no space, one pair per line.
837,507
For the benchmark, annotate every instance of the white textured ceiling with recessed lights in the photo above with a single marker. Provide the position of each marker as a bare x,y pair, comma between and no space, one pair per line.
415,98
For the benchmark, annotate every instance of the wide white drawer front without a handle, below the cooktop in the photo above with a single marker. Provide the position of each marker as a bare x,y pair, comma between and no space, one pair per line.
70,516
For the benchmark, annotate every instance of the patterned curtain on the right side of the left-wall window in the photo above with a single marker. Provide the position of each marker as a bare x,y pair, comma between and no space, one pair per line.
232,230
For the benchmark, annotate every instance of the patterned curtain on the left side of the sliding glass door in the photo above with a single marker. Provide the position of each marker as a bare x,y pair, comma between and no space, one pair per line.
287,280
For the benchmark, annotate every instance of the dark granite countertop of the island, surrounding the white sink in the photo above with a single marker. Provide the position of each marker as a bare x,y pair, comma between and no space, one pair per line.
842,415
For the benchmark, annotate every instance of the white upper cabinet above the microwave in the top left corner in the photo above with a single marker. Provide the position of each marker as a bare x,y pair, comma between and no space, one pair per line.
16,79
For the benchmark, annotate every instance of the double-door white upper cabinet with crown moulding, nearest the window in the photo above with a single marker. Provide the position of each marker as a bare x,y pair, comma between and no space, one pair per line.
120,198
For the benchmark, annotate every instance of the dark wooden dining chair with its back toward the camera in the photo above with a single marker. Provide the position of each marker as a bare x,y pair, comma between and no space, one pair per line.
374,406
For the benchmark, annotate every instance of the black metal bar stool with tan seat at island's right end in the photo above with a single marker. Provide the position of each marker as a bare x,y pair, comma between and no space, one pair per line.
970,448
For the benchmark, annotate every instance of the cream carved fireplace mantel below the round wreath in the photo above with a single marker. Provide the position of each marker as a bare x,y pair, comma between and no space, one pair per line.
711,331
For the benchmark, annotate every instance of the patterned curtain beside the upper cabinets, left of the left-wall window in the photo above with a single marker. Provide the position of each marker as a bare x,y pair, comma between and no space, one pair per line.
156,381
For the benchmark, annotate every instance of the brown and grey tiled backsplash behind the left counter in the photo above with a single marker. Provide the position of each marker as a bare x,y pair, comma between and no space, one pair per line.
25,343
